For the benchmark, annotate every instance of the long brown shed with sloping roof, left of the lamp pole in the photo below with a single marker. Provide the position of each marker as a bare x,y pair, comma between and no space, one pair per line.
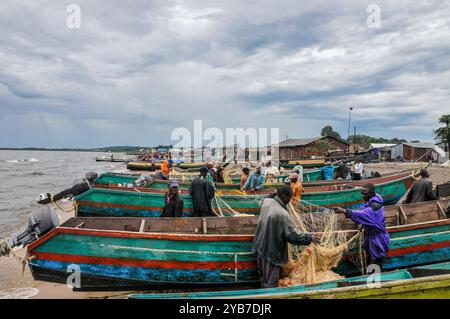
292,149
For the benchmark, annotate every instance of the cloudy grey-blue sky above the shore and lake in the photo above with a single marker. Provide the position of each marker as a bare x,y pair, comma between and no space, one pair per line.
136,70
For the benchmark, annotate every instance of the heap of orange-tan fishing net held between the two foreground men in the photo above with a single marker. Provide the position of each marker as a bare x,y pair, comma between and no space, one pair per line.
315,263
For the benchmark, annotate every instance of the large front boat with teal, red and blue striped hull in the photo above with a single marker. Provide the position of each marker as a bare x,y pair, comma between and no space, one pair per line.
123,252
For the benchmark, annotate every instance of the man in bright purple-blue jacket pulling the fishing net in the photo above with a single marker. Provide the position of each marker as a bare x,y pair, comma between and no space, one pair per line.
371,216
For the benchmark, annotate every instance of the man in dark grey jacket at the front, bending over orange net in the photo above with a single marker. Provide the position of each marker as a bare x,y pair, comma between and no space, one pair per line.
274,231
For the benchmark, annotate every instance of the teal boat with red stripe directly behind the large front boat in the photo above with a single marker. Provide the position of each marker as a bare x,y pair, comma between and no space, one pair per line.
132,202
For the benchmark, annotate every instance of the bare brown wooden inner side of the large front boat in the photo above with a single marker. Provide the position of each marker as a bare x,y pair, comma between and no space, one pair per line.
396,215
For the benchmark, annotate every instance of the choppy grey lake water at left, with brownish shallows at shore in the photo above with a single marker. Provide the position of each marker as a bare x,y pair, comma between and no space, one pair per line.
23,176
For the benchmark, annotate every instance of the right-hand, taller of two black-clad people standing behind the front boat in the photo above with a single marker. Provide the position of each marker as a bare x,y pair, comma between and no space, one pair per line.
202,192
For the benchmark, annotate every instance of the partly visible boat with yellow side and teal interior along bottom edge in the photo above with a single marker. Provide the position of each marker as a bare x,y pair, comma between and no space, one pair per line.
425,282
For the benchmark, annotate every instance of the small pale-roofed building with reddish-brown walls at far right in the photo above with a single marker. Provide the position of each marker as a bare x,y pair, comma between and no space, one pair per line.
417,152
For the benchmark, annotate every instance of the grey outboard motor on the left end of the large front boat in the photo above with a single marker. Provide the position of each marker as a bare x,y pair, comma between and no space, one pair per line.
41,221
